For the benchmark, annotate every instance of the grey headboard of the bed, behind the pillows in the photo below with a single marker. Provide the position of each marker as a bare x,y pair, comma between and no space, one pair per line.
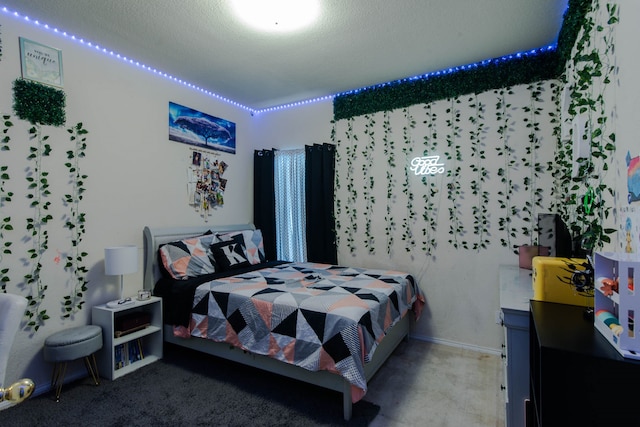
154,237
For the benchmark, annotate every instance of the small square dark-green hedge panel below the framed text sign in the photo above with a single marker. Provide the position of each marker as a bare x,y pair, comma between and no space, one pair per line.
38,104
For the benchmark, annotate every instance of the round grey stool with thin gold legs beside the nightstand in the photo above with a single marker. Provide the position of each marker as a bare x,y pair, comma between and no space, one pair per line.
72,344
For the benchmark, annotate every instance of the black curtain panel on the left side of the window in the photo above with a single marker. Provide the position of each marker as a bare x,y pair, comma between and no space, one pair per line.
264,201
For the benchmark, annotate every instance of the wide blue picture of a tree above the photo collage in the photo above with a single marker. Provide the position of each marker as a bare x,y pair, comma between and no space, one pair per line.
201,130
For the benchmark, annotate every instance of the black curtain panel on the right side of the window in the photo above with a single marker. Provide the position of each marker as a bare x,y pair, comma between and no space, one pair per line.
319,189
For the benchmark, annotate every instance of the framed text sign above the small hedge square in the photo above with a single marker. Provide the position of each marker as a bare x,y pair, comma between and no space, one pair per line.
41,63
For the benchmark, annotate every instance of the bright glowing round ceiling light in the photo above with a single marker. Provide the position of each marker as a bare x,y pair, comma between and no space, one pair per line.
277,15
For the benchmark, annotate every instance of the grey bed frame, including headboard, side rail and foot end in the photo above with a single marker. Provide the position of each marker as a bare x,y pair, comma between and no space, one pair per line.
154,237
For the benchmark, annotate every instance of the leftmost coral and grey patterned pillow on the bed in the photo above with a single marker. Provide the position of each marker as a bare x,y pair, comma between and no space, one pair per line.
188,257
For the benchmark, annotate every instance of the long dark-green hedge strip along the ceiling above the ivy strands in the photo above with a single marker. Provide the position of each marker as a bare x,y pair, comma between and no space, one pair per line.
542,64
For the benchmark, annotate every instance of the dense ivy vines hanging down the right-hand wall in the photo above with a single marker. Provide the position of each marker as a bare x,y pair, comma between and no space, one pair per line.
590,200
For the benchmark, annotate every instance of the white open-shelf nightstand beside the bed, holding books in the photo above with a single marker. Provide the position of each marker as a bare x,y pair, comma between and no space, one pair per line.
123,354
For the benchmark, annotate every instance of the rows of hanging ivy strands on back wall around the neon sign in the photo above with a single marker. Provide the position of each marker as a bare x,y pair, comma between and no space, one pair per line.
495,153
